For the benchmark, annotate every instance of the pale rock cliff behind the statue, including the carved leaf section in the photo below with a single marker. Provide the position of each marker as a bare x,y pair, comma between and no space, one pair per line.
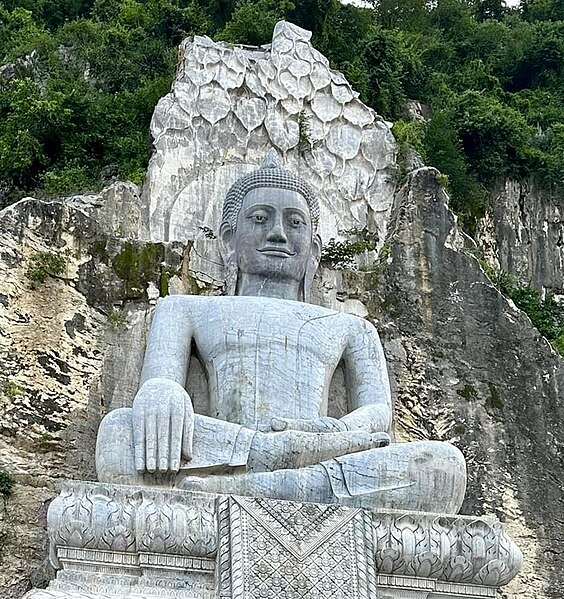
466,365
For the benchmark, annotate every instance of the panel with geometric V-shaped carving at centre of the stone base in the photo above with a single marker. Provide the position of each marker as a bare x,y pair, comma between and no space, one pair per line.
294,550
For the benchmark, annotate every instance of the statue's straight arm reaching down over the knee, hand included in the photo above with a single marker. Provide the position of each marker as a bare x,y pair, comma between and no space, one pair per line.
163,418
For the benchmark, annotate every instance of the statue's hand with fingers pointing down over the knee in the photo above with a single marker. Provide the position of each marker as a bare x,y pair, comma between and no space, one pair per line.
163,426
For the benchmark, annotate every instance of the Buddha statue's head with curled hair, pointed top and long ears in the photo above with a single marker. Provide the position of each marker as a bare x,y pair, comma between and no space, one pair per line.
269,232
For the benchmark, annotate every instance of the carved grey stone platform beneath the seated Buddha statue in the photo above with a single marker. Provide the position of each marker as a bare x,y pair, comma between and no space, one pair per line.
149,543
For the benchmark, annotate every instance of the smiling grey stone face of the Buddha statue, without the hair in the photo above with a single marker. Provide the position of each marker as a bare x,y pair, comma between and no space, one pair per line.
274,236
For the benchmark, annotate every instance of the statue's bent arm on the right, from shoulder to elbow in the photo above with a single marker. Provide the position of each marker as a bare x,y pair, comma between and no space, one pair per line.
368,387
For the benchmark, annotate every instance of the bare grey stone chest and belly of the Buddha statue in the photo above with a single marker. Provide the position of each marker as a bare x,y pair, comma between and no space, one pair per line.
267,357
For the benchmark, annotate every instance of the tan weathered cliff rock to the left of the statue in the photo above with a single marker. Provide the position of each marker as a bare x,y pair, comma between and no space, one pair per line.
70,348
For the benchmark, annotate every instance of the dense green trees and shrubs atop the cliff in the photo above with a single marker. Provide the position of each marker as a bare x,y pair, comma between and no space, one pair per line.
80,80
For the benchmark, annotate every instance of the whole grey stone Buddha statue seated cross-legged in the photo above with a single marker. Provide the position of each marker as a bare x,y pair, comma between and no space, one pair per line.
269,357
